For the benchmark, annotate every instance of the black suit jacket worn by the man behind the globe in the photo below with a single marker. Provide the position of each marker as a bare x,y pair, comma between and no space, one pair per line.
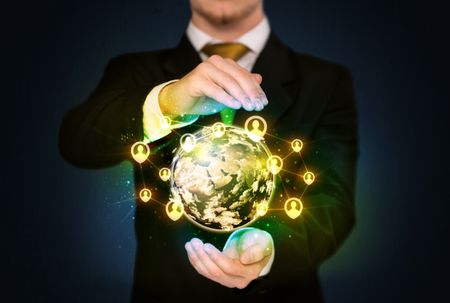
309,98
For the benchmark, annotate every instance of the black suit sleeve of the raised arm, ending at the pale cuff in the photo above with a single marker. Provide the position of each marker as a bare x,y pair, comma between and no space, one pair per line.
99,132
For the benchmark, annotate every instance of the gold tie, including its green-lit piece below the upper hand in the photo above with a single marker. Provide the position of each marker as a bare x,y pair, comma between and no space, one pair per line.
232,50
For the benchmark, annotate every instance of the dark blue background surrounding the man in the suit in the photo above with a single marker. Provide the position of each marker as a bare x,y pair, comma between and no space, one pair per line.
67,240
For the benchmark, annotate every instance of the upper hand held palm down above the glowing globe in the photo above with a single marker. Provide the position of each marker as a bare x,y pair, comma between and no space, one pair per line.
213,85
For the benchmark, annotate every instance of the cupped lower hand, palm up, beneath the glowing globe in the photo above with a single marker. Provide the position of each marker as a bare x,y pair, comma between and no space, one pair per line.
245,255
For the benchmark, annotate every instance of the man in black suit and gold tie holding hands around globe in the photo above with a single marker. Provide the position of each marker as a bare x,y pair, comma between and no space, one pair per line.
227,66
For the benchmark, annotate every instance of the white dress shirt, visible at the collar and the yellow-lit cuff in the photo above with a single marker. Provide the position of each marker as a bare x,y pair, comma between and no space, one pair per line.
255,39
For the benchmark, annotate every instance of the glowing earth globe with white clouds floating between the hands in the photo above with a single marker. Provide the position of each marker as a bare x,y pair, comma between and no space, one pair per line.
222,179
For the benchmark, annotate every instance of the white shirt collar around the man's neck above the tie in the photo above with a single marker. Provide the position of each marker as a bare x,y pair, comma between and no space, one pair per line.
254,39
